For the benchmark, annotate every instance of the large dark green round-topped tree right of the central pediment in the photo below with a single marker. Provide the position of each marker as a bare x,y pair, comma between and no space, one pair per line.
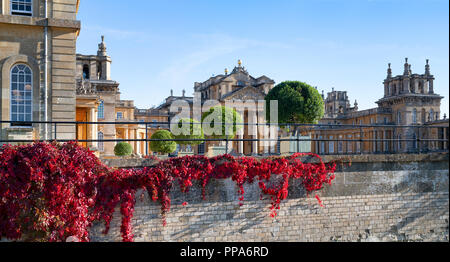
298,102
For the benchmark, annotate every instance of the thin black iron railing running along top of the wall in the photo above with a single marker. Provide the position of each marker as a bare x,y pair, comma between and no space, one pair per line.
365,139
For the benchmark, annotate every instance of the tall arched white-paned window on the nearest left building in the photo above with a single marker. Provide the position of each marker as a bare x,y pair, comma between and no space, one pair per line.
21,93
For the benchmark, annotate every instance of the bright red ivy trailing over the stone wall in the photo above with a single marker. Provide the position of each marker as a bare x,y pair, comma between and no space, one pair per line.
50,192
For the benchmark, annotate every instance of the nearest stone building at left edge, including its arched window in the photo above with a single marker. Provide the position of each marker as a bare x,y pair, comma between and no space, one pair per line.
37,67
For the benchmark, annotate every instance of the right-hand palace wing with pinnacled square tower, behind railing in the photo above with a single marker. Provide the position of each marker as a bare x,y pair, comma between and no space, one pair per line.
409,100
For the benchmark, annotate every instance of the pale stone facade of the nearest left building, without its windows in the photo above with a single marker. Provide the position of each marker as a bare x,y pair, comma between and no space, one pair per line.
23,41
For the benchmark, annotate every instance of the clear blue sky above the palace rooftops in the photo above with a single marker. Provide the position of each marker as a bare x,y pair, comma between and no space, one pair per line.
158,45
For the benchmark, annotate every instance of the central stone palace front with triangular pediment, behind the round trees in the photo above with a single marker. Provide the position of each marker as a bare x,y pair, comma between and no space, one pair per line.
237,88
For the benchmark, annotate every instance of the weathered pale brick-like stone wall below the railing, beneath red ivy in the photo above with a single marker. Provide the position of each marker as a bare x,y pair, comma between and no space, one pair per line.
377,198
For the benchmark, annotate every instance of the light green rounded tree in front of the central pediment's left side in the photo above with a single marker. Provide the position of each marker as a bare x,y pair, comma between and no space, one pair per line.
227,117
